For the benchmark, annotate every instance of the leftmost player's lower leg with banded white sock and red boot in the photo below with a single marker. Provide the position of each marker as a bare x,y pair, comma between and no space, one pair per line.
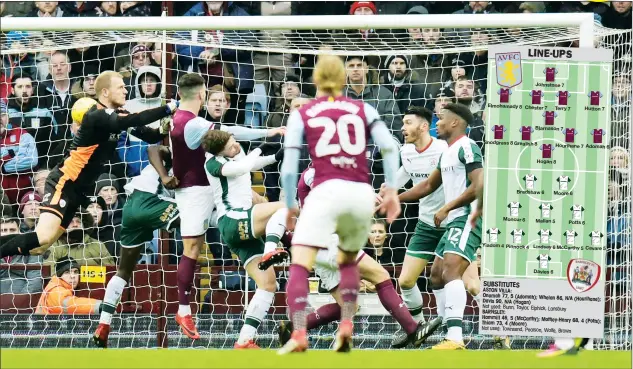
114,289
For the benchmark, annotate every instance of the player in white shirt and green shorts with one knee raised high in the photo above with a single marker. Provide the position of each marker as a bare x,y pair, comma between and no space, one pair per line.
241,224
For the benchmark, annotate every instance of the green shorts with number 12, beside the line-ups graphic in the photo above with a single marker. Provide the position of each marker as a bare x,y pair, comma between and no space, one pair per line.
461,239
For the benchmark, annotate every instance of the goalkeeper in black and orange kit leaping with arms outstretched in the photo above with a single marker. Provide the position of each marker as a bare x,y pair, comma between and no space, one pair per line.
70,182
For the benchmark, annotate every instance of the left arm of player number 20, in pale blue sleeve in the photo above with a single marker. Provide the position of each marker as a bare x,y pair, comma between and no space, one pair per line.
292,152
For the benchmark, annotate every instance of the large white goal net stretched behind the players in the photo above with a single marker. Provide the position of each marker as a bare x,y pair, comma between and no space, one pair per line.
392,64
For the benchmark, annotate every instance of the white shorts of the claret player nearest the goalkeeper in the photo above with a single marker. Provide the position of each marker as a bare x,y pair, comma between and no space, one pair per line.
196,206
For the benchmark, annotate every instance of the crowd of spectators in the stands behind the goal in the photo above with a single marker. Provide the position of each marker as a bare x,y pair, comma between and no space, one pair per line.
252,88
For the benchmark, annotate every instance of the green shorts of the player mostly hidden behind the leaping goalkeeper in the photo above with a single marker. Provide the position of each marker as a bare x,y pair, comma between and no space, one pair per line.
143,213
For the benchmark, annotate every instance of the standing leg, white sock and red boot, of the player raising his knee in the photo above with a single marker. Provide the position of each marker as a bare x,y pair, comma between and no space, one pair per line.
259,305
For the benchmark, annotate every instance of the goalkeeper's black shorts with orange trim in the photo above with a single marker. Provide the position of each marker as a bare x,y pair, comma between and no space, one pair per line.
61,197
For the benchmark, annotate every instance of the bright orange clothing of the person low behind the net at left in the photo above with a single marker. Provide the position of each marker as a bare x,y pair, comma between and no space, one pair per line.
58,298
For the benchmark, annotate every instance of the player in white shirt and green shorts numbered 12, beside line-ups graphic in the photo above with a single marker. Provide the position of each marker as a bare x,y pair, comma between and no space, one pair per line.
460,170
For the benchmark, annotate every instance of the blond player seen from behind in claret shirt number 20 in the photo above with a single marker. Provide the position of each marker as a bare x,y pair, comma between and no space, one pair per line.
336,130
